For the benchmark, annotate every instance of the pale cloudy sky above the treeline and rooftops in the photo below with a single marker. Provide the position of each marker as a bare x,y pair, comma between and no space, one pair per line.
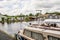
15,7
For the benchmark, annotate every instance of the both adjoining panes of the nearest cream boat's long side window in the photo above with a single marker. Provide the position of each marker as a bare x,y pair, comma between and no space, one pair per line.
34,35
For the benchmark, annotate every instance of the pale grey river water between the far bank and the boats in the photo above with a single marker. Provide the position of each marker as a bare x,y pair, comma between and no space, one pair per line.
13,28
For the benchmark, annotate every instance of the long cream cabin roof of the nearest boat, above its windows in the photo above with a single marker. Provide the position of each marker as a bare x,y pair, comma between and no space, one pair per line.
43,30
